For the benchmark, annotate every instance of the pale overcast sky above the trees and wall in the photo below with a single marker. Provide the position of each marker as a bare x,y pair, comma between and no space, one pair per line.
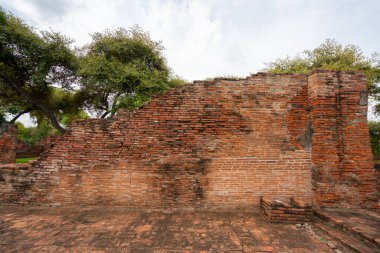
208,38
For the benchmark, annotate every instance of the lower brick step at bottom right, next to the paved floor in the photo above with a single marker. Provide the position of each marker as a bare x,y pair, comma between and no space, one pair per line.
344,238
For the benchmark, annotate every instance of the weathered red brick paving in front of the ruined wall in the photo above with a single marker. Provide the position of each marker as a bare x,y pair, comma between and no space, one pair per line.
37,229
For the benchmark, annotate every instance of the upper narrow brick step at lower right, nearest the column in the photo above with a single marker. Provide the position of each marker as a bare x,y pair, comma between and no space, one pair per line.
340,225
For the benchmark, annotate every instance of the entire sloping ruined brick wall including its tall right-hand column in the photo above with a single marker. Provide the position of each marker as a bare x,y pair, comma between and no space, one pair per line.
220,143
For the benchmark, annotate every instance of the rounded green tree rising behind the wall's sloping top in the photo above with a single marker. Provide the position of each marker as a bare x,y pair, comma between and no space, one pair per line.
123,68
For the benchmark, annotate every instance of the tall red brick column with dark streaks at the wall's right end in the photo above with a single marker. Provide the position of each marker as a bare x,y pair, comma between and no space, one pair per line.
343,169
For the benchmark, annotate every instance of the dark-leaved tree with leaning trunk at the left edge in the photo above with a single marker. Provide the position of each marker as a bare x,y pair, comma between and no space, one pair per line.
32,65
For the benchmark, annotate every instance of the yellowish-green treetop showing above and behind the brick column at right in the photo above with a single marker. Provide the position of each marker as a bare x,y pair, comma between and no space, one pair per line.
335,56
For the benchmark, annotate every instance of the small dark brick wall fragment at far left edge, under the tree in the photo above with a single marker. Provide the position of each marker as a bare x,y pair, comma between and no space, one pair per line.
8,141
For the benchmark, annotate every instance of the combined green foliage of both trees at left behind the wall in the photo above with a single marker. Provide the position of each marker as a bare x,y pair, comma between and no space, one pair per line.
39,74
